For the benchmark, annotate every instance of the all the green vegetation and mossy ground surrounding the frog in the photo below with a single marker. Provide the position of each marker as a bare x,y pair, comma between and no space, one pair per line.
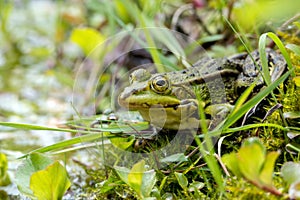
63,65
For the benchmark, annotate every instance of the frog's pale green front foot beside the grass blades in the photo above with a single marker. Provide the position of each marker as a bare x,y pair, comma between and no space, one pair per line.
218,113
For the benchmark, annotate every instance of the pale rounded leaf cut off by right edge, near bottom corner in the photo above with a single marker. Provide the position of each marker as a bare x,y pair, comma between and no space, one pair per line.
290,172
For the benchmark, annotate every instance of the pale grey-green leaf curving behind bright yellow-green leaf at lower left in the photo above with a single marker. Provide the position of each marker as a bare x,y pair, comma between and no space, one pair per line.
34,162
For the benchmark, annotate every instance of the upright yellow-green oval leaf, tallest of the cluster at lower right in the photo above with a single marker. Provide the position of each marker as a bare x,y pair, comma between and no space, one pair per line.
251,157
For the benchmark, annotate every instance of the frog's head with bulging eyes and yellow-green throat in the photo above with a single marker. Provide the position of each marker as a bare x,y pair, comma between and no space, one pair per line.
158,100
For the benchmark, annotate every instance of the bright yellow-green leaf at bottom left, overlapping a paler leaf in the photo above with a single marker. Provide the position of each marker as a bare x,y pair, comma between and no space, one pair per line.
50,183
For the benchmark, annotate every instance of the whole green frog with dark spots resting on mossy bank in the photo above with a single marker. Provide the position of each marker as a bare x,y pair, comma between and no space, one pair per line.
171,100
